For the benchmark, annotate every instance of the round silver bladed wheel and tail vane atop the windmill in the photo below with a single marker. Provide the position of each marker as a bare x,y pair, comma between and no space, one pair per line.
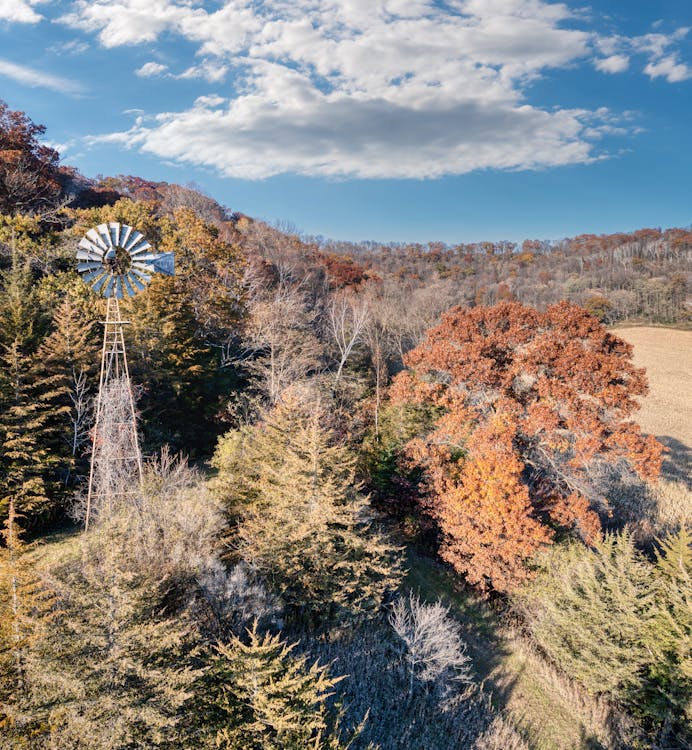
116,260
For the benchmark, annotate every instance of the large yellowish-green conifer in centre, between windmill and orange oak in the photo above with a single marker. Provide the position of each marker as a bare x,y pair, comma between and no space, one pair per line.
302,524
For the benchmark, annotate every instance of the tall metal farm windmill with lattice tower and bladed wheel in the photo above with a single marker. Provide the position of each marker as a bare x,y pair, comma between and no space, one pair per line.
117,261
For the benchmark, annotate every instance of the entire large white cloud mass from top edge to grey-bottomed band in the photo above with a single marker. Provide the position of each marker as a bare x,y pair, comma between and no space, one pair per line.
373,88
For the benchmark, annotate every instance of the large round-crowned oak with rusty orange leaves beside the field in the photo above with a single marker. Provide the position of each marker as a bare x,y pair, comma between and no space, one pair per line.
531,403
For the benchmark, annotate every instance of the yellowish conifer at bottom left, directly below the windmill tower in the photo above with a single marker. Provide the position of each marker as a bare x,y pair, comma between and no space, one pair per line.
125,667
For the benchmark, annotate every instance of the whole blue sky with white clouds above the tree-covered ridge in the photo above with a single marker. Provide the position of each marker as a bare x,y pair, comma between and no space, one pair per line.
392,120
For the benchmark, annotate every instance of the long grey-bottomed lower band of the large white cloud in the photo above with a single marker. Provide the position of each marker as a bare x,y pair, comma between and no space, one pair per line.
331,135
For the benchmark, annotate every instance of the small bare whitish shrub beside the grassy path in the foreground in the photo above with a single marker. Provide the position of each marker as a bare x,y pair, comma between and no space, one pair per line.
435,649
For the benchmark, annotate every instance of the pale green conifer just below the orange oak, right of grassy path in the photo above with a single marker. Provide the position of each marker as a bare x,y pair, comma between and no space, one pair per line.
589,610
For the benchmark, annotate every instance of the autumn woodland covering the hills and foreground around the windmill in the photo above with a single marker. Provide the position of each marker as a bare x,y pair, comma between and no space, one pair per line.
410,465
